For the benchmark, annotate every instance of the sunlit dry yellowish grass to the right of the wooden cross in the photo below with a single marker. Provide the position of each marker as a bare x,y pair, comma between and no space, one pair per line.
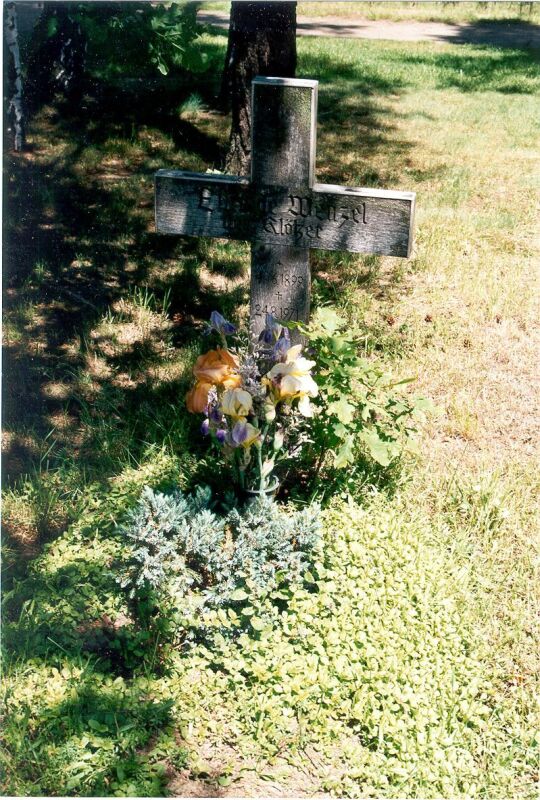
462,315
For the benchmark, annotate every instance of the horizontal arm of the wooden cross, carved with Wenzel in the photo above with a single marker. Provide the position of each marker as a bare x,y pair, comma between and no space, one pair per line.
325,217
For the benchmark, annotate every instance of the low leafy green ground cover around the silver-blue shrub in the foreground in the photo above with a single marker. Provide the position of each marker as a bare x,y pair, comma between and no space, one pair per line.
386,686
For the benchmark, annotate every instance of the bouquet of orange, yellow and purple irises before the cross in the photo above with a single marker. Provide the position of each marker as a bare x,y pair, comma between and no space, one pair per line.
253,398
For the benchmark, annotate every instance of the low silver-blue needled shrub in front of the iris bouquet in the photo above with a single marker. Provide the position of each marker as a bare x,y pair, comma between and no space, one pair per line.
179,546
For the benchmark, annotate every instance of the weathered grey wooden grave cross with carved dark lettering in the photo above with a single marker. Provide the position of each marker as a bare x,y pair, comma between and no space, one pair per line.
281,210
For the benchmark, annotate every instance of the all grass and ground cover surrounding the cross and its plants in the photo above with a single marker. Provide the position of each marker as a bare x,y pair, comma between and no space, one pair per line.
410,669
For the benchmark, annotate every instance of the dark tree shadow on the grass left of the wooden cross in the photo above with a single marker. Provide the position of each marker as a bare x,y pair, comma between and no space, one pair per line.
78,238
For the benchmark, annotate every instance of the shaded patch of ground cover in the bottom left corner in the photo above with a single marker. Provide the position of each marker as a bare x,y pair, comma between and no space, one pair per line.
95,740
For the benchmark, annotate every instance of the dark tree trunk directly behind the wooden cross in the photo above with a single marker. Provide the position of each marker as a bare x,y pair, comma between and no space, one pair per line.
262,41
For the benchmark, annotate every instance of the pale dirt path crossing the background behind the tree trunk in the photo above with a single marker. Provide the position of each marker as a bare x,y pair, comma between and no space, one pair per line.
499,34
